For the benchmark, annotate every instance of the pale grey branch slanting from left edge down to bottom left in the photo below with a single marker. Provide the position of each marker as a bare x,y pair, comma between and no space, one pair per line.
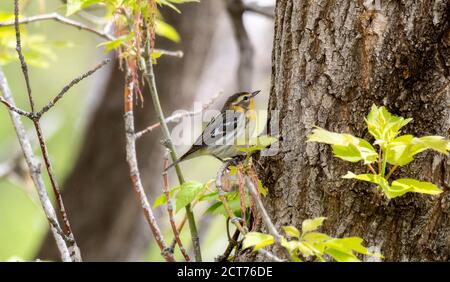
34,168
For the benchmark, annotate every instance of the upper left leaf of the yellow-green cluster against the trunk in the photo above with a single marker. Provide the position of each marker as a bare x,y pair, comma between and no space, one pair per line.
345,146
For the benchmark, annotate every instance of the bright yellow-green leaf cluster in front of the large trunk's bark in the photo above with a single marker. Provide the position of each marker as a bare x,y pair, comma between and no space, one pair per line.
394,150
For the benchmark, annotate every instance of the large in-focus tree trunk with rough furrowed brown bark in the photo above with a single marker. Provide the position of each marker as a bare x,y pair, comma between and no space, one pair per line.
331,61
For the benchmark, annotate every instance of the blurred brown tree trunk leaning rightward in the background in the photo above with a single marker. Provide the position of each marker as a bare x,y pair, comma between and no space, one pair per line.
101,203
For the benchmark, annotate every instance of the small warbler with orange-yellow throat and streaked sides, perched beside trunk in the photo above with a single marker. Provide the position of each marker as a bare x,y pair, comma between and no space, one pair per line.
222,134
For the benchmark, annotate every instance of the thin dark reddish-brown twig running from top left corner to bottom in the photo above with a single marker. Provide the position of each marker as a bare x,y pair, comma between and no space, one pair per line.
75,252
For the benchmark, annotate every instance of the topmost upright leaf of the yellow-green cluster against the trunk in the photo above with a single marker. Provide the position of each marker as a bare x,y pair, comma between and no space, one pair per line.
383,125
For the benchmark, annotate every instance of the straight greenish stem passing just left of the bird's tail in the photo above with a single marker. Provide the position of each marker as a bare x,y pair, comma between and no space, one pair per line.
150,79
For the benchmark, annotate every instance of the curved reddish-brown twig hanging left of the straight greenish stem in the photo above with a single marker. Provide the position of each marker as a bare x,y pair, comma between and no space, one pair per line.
134,170
